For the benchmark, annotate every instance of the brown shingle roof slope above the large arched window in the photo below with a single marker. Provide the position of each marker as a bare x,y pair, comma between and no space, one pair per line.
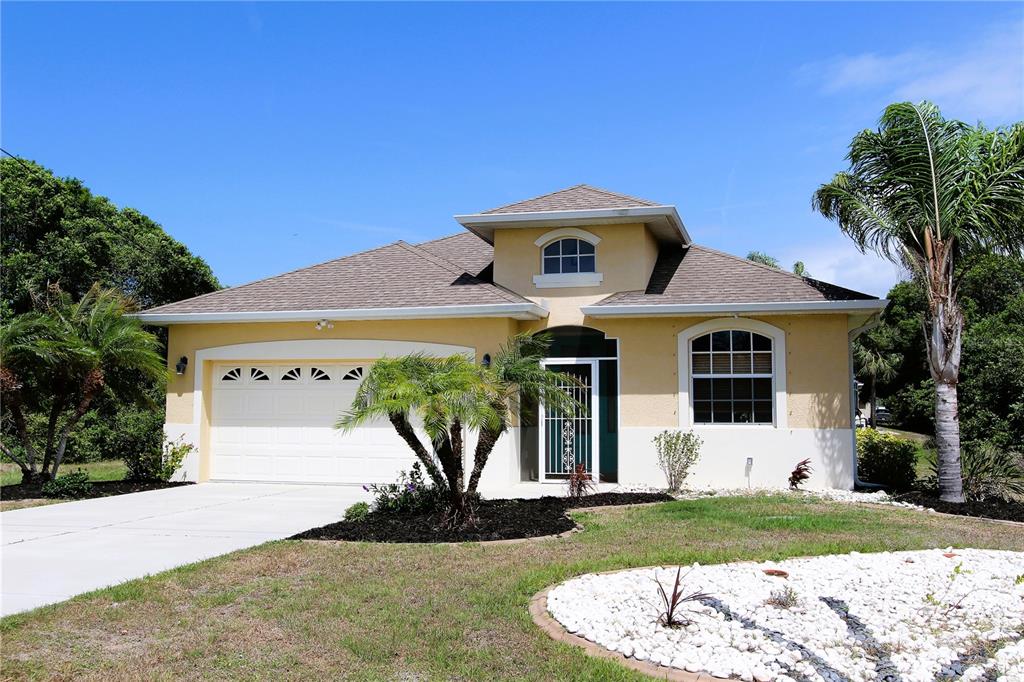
699,275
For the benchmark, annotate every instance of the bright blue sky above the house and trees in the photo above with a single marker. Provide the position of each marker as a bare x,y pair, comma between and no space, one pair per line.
271,137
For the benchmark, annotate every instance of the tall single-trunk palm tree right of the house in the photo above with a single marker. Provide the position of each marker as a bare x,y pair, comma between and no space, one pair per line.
924,192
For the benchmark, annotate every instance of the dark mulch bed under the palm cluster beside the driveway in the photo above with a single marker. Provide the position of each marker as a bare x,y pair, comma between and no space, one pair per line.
495,520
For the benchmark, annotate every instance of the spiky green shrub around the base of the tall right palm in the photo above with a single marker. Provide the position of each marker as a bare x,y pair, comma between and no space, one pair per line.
990,472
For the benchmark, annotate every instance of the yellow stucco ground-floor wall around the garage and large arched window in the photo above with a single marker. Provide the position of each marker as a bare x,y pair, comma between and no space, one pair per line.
818,372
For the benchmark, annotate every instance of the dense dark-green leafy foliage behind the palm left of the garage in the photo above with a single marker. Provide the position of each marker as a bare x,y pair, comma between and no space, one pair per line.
57,232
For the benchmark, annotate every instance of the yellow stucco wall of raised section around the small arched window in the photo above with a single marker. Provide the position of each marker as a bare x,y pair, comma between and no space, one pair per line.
626,258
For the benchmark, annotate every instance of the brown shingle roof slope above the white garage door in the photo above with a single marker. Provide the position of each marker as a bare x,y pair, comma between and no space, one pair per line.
396,276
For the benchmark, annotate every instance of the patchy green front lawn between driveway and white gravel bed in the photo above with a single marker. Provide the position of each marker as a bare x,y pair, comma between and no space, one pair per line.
364,612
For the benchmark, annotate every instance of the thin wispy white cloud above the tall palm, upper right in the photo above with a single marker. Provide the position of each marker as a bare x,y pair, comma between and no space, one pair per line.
984,80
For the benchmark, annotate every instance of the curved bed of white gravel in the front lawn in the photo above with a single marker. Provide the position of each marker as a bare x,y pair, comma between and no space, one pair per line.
912,616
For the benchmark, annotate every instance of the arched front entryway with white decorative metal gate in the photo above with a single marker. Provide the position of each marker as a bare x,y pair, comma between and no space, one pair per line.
593,439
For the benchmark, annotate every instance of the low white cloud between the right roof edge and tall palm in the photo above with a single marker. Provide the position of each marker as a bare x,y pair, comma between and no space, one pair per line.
839,263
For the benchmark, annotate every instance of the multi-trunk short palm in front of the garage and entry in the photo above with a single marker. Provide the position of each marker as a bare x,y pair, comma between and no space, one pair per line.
446,396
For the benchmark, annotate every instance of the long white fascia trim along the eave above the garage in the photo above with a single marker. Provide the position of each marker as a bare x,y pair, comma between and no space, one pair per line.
517,311
